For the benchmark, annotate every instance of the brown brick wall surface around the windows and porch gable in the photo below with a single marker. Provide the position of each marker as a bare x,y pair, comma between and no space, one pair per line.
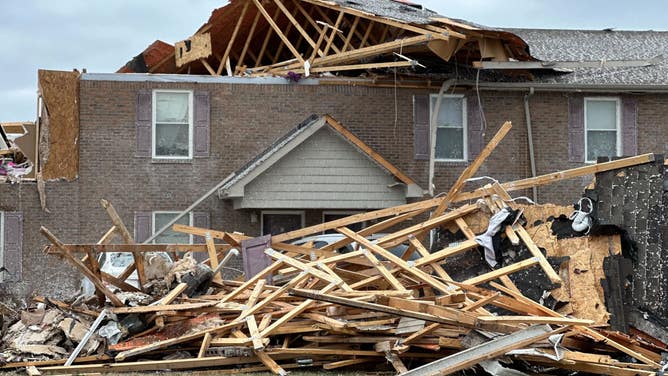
247,118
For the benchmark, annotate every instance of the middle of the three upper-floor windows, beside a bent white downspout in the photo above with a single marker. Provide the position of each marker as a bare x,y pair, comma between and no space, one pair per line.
450,124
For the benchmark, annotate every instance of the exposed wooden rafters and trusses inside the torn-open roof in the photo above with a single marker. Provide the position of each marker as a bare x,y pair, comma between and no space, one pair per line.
276,37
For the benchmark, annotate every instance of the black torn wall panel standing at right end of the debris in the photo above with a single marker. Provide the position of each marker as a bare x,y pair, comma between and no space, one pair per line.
634,199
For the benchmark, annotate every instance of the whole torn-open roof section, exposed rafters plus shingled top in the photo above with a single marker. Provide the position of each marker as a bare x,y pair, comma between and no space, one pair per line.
303,37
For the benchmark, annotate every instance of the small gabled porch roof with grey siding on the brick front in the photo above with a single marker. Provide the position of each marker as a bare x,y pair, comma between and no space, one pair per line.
289,173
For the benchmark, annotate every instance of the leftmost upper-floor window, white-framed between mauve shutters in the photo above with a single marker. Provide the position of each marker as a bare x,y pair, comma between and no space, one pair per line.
172,124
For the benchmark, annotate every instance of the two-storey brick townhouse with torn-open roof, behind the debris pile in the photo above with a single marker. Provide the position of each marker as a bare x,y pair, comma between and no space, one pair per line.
153,141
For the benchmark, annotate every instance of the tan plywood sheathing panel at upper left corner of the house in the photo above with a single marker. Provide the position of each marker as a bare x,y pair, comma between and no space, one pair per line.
60,141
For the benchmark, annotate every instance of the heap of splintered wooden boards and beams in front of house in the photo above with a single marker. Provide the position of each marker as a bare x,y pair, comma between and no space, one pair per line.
368,307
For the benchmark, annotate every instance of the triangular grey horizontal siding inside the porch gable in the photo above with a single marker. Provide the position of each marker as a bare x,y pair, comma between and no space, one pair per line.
324,172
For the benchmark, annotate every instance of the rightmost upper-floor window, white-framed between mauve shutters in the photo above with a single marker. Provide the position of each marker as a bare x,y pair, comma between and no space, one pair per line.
602,128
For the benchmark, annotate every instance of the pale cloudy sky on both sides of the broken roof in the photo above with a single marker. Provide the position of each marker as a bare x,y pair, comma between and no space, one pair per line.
102,35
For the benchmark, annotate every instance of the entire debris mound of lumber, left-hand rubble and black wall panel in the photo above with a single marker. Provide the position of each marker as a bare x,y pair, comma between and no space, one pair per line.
556,300
